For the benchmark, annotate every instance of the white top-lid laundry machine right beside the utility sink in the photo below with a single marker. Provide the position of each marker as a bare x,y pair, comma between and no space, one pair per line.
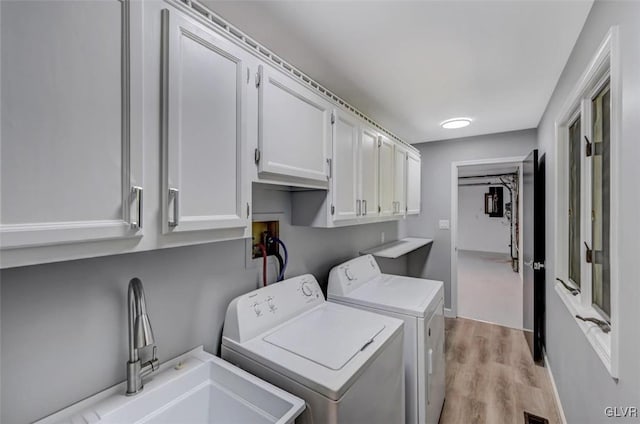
347,364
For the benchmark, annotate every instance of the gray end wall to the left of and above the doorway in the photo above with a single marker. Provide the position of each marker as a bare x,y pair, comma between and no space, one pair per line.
436,190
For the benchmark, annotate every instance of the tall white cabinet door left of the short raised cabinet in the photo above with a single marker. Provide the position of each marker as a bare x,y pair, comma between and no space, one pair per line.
203,128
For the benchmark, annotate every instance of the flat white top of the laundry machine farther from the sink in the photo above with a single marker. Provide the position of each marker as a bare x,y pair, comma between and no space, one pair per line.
405,295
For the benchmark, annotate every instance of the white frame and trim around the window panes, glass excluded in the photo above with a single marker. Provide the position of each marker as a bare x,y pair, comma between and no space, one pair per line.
605,61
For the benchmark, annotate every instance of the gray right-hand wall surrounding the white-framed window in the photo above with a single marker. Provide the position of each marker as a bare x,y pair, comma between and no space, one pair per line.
584,385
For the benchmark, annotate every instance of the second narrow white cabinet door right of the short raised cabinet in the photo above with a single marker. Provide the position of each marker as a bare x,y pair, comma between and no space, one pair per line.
368,166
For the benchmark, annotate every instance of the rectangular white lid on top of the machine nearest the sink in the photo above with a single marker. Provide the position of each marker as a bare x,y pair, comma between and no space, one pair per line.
327,336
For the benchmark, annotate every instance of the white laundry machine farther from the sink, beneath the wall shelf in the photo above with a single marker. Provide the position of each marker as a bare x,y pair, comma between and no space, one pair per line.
420,304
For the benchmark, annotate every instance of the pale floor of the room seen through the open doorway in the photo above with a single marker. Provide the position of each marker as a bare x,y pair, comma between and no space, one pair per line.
488,289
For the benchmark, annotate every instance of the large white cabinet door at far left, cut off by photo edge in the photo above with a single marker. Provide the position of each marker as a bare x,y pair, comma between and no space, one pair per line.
71,122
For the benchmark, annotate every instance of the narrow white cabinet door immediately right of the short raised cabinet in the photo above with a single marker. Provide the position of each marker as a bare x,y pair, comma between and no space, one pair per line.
344,172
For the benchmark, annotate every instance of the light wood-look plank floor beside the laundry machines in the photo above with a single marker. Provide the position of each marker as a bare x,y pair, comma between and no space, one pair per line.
491,376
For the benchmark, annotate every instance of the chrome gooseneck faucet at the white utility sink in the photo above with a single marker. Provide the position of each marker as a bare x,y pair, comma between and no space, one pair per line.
140,335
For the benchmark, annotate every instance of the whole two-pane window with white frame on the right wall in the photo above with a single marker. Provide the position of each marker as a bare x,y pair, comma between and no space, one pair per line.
586,202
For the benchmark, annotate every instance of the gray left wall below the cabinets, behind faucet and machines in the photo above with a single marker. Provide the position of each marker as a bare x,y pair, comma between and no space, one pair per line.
63,325
